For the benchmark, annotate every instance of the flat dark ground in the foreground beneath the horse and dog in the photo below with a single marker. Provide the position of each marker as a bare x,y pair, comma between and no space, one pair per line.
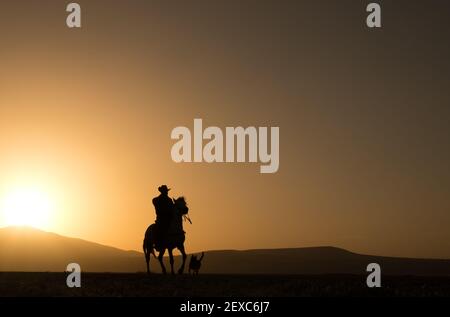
112,284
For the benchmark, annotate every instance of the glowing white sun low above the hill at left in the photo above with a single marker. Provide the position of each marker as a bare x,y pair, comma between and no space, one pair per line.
26,207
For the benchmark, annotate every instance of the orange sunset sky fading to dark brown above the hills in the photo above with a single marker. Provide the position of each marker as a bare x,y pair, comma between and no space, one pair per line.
86,117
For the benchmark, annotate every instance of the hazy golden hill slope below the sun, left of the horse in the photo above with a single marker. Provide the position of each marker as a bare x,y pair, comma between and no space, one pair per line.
28,249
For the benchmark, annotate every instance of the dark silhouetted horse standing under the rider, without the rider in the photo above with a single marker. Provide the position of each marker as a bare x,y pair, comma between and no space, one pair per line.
174,239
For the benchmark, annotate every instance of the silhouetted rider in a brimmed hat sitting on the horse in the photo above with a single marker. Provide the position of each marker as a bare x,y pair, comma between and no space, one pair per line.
164,212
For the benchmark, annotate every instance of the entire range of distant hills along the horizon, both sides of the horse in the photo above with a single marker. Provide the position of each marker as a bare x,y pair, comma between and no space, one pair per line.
27,249
